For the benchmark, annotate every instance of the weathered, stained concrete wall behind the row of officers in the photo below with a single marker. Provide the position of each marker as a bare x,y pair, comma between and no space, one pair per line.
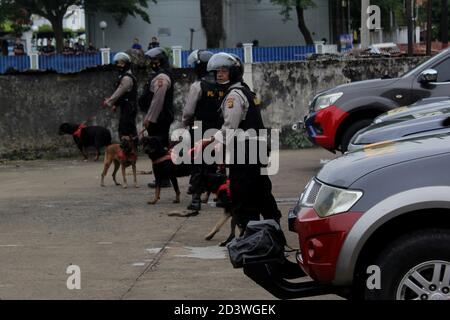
33,106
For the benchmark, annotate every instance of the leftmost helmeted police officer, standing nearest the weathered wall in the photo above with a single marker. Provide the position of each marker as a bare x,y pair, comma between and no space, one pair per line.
125,96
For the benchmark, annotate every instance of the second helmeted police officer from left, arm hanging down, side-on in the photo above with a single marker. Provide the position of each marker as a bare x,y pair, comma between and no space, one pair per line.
159,99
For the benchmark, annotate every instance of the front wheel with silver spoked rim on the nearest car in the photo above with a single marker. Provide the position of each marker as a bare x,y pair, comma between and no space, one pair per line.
414,267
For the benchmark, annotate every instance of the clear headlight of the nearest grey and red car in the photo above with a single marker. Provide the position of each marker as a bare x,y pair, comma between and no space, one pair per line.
331,200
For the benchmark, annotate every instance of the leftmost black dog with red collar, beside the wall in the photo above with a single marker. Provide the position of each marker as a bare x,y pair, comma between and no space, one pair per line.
84,137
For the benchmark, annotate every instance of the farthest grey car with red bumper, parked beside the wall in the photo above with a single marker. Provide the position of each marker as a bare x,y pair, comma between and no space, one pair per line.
335,115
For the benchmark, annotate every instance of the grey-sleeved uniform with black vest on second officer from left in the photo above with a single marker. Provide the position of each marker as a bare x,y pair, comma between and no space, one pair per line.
160,114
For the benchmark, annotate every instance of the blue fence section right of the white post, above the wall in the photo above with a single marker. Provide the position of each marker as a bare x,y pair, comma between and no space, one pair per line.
293,53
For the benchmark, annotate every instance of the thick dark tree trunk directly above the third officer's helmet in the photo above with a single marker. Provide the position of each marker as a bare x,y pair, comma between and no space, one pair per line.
212,21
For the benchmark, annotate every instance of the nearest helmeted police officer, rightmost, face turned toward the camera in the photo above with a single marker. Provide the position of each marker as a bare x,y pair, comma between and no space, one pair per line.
251,192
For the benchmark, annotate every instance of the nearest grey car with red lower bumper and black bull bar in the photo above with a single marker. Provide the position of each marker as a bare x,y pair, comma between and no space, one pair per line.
373,224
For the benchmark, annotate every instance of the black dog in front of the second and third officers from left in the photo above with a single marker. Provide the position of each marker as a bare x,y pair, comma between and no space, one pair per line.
163,167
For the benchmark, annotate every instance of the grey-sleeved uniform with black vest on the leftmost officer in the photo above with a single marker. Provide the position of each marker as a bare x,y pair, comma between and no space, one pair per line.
125,97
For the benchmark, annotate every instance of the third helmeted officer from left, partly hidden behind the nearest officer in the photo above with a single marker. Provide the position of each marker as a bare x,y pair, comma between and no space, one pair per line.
202,108
